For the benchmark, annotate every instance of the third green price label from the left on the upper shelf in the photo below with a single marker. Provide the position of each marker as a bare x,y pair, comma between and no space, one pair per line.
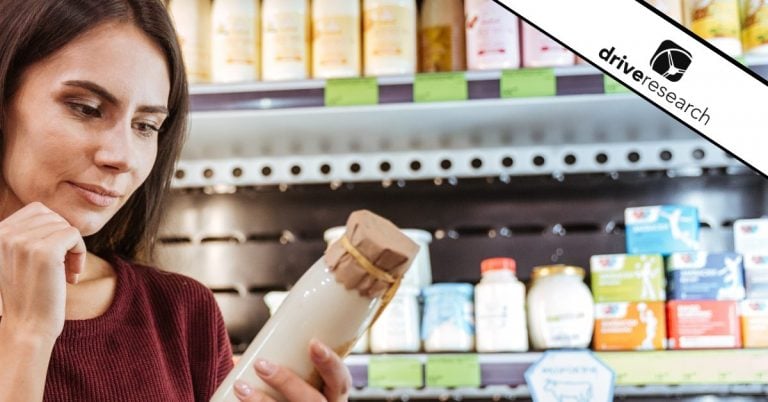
528,82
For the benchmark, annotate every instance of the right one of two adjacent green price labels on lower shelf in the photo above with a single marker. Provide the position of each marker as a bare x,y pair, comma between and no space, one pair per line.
452,371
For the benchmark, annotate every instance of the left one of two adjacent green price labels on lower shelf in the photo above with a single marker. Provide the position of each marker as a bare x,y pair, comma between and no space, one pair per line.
395,372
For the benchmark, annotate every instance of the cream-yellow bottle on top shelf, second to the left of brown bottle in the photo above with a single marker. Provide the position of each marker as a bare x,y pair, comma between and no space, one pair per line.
336,39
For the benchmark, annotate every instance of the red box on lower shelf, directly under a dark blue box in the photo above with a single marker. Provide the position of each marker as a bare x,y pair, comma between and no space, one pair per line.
703,324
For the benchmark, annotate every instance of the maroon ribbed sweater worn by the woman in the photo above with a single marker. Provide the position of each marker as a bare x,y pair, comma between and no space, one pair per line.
162,339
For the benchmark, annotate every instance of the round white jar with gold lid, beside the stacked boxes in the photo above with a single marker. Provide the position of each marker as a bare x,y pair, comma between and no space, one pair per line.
560,308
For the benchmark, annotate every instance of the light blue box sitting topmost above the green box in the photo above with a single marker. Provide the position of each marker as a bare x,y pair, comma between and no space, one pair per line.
662,229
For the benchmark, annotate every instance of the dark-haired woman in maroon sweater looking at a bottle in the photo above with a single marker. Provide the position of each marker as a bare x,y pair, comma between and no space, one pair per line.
92,117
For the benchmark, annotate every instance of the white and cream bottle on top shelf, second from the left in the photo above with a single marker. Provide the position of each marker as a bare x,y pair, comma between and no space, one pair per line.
235,32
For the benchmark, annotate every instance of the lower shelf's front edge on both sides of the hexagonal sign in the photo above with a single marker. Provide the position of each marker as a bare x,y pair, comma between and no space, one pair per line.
658,373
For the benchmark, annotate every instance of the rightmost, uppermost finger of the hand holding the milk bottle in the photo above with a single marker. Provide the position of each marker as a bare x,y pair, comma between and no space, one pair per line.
331,368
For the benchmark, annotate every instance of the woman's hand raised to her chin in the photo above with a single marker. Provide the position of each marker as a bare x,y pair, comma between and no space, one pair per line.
39,252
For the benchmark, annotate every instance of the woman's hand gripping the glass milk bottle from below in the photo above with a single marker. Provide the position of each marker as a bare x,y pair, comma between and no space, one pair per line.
336,378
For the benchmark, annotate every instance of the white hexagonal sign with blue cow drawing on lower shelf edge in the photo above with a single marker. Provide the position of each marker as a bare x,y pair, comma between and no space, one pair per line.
570,376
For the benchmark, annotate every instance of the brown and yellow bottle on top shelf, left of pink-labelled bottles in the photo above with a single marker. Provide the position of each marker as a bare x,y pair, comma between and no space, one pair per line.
441,36
